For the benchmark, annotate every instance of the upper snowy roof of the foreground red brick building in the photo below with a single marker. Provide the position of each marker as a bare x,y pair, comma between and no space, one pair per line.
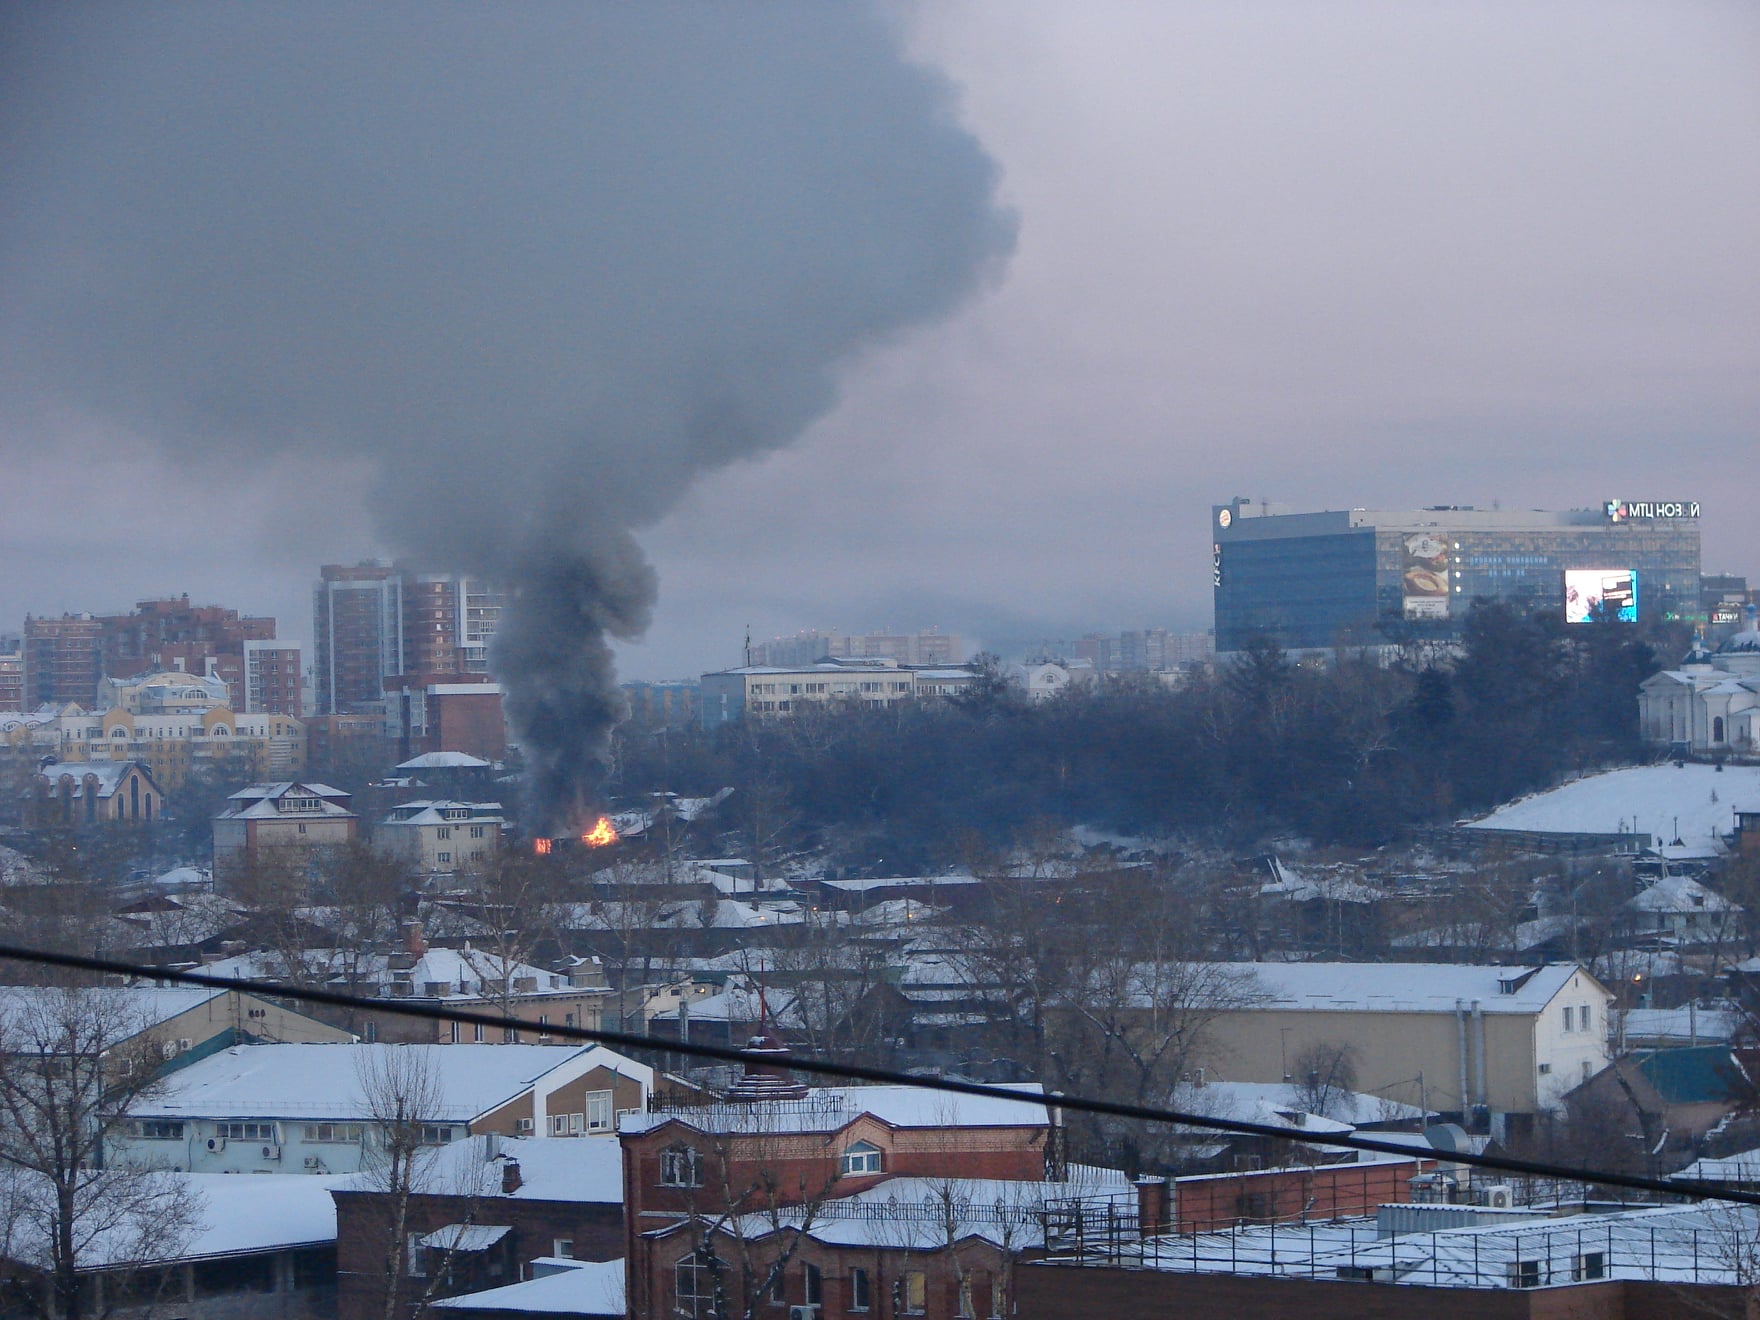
835,1108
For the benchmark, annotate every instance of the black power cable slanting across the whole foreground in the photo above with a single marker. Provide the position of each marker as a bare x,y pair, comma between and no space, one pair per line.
1690,1189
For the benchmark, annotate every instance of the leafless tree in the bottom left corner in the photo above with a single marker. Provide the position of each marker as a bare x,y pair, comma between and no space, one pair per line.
71,1066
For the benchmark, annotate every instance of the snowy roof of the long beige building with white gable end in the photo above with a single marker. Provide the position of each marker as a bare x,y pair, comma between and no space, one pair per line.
1407,986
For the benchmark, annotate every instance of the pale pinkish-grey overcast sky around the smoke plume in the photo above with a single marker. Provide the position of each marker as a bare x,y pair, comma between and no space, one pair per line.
1323,254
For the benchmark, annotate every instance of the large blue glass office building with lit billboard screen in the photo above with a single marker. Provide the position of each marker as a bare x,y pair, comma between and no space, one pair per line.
1361,576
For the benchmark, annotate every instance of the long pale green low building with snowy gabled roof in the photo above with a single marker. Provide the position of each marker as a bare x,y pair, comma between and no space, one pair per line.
316,1110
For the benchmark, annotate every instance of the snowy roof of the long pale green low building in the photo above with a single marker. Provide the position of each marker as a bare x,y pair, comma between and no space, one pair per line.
326,1082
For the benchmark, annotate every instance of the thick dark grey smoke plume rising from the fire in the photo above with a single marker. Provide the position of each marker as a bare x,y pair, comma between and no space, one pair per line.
543,267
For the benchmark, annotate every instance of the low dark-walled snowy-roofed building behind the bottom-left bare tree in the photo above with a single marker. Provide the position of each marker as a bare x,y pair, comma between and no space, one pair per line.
260,1250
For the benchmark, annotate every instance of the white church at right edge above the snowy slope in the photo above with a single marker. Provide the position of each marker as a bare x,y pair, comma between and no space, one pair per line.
1712,701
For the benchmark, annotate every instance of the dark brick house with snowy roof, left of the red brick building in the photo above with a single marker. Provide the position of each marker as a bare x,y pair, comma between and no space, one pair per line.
481,1215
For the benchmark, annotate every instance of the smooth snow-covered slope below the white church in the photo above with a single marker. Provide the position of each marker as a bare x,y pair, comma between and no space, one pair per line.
1692,803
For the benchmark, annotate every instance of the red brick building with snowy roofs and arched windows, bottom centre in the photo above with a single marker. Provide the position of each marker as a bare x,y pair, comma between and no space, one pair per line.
879,1199
